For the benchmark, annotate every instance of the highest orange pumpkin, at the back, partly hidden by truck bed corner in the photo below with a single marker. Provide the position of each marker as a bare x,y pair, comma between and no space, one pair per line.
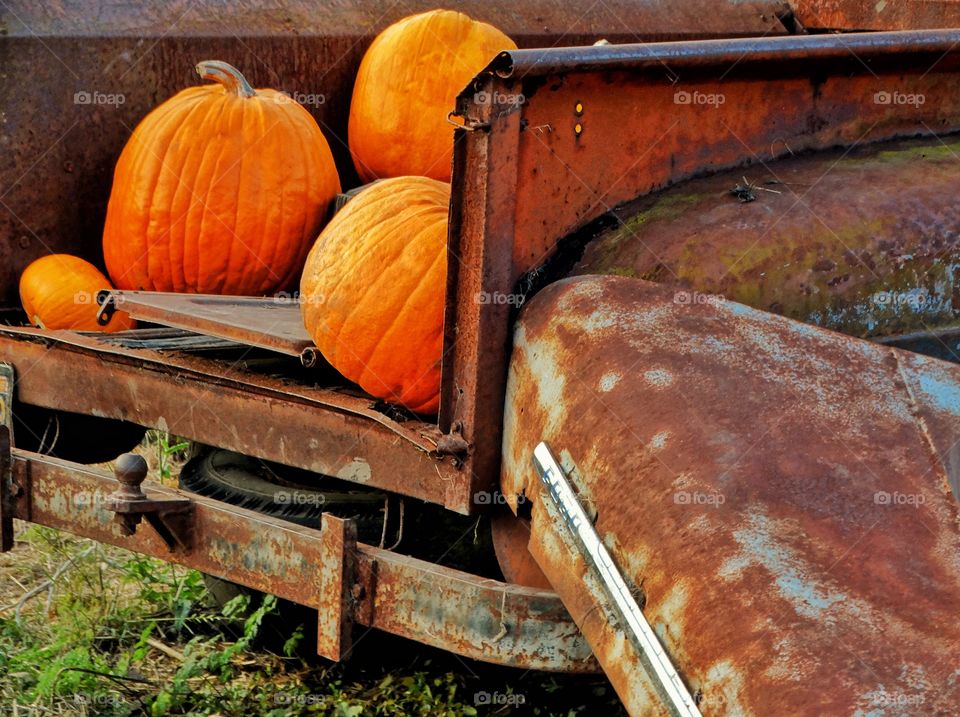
407,85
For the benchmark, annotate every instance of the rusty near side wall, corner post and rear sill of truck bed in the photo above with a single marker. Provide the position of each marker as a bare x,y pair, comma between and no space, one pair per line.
524,175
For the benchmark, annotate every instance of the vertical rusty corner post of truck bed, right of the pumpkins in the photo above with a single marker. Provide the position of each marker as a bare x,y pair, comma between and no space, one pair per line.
479,266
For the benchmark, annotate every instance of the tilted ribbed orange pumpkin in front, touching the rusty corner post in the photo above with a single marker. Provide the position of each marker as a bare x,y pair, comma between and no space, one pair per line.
373,290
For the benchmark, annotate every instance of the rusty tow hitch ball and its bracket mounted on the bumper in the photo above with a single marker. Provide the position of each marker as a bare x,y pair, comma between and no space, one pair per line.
171,518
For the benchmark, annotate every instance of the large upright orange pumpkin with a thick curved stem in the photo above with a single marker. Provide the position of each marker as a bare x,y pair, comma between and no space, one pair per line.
221,189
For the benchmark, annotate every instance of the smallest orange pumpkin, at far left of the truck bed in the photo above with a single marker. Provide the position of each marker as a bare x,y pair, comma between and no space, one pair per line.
59,291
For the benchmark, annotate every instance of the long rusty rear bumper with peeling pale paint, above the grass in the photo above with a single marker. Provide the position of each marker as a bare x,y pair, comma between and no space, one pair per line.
430,603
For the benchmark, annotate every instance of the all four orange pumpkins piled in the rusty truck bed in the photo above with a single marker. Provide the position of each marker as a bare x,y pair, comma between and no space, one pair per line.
224,189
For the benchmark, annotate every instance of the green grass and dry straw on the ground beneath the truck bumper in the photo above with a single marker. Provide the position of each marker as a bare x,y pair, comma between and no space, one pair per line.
89,629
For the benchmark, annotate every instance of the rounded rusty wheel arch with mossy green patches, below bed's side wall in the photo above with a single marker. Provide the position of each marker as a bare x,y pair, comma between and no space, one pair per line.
860,241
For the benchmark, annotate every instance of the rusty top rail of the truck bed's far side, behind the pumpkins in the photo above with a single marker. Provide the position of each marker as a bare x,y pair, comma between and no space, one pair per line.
538,22
